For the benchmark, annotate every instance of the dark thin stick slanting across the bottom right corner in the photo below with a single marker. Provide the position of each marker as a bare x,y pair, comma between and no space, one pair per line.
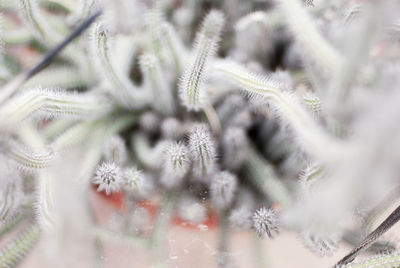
379,231
